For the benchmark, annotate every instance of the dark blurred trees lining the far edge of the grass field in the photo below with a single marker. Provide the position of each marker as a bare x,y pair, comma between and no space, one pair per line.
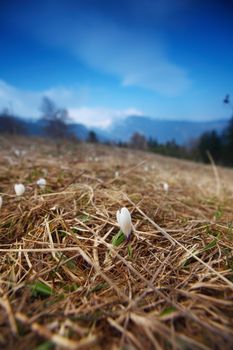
210,146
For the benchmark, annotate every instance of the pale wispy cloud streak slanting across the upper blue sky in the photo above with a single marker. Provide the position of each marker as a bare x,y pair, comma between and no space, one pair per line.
133,58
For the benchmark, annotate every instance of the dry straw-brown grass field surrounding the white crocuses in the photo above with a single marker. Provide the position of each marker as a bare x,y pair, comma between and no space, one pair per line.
64,284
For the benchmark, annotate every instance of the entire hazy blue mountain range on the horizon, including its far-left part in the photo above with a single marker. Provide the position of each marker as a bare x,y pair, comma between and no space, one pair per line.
122,130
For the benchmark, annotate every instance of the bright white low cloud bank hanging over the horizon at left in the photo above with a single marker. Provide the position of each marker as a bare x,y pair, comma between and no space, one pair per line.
26,104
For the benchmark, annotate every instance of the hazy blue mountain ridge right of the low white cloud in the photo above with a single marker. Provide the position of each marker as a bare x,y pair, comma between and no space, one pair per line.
162,130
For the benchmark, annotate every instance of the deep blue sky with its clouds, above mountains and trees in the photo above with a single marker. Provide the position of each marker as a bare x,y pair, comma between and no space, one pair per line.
104,60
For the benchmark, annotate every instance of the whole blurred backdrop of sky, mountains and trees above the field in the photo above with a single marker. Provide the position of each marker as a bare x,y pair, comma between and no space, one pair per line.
152,75
